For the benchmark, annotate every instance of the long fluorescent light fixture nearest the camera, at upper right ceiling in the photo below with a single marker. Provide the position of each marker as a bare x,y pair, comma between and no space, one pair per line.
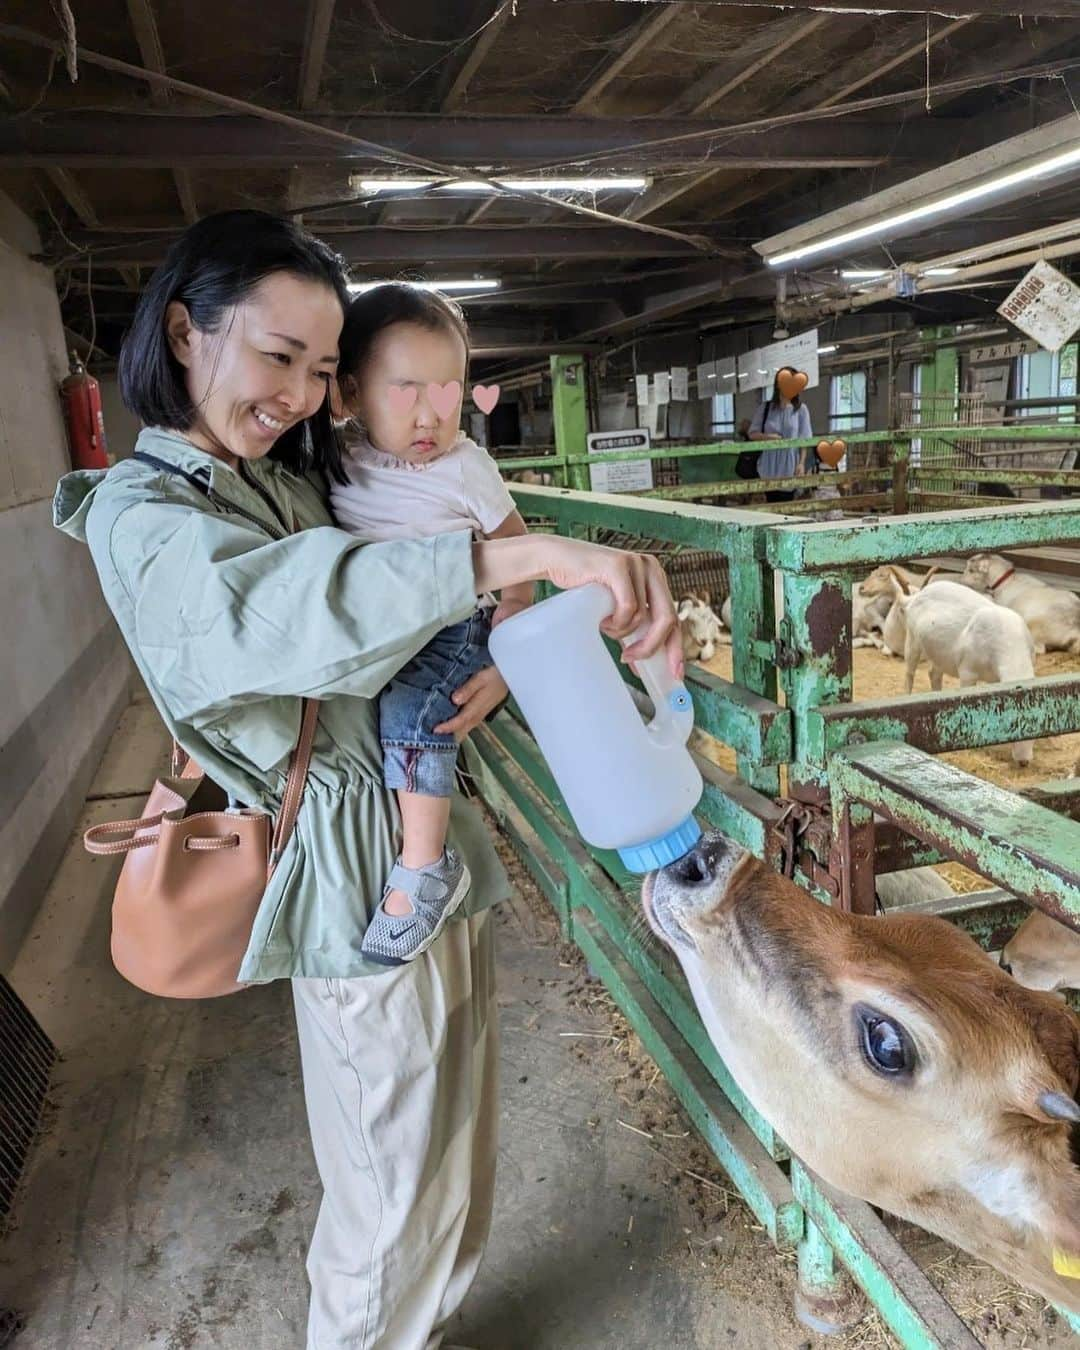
1001,171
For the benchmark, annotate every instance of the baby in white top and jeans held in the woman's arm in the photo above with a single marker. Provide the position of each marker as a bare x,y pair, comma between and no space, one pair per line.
414,475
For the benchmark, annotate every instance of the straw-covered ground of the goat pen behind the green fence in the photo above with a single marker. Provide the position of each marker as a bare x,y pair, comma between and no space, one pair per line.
881,676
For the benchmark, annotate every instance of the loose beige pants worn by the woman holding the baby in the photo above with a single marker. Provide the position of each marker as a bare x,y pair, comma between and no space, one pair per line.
400,1078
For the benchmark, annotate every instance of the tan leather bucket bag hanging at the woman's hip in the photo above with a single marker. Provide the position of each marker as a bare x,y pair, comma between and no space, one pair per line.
194,878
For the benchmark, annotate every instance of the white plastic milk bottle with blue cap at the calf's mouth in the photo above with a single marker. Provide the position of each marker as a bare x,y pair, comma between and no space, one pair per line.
630,785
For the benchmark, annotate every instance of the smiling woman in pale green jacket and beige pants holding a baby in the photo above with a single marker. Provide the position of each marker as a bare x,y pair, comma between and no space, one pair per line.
238,597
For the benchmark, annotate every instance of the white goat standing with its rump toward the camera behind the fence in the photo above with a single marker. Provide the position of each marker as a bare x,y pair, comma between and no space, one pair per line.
962,632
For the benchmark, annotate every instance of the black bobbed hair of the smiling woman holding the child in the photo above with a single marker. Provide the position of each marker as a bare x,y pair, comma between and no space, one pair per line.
214,265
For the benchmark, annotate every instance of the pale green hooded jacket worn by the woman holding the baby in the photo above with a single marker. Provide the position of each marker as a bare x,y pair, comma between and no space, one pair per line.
232,620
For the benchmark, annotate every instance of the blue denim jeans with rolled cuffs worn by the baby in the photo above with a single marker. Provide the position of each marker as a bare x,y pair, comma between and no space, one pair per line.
418,700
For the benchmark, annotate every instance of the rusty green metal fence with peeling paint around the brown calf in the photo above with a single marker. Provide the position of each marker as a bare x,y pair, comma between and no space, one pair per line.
862,794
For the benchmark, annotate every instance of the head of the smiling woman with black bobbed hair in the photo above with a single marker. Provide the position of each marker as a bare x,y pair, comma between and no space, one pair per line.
248,346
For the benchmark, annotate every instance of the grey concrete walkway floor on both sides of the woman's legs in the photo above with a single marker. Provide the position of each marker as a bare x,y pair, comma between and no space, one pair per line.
173,1191
